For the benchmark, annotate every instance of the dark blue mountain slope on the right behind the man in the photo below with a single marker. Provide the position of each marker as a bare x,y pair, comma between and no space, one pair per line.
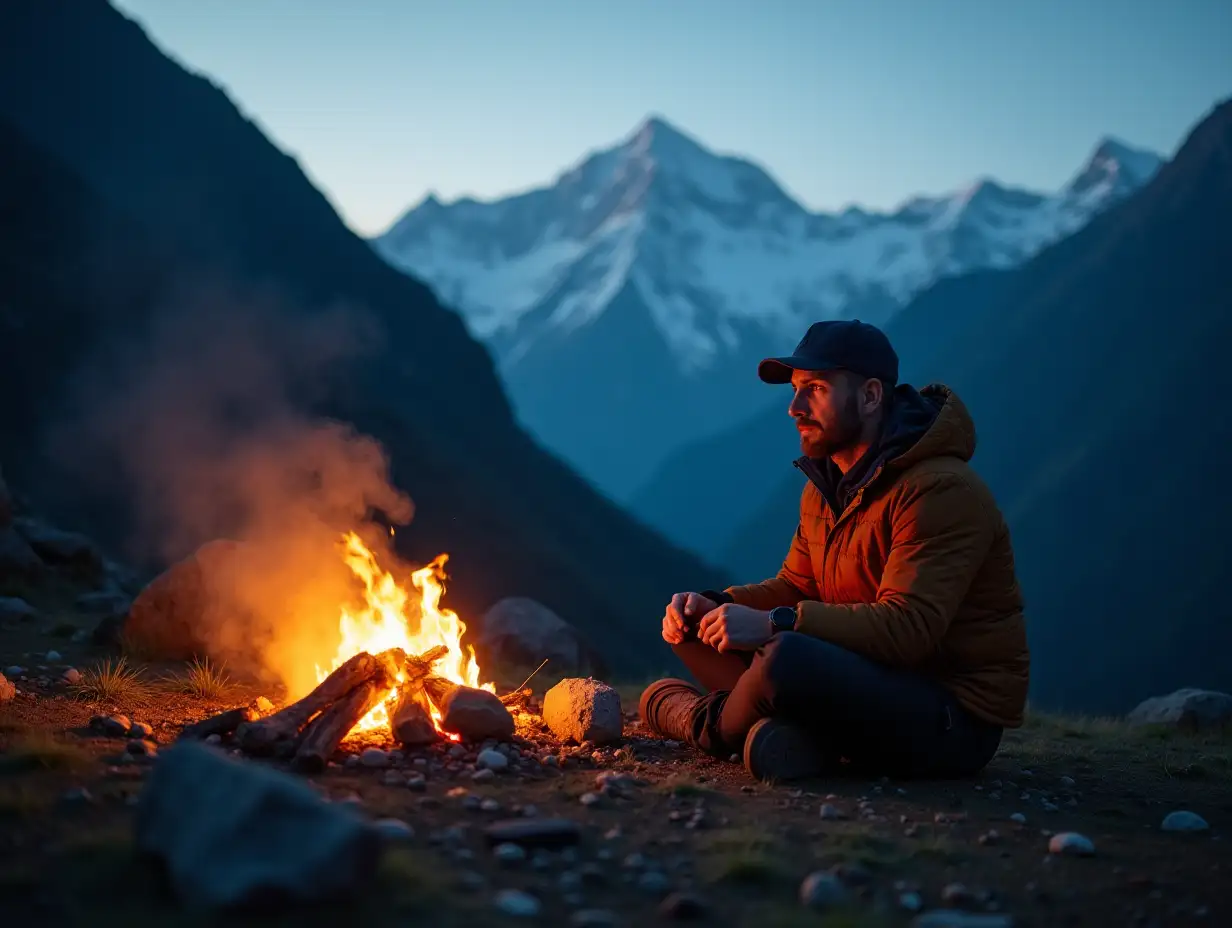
1096,375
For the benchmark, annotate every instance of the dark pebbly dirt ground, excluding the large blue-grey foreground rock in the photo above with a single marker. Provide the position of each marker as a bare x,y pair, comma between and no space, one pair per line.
67,802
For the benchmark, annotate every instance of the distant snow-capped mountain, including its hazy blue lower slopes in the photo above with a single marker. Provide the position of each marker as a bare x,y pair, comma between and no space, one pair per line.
652,275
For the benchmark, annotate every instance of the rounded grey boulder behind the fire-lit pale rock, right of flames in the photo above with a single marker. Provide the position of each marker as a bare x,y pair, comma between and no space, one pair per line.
523,633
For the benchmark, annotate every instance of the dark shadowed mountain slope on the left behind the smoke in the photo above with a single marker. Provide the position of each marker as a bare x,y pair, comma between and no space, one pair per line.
137,200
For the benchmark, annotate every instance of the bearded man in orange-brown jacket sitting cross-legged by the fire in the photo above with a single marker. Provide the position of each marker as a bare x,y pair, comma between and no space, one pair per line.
893,641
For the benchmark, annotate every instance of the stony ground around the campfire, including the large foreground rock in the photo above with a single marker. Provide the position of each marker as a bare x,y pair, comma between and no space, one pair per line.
1076,821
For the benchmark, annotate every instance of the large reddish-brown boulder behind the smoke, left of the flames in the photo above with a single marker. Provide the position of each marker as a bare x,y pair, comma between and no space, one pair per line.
168,618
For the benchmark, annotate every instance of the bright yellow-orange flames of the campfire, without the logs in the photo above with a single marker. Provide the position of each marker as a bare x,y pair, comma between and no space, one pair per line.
397,618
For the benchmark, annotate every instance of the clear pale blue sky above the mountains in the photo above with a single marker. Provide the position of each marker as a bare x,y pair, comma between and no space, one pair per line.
845,102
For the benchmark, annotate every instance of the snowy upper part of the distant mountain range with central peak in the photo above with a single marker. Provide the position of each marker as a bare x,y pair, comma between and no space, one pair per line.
713,245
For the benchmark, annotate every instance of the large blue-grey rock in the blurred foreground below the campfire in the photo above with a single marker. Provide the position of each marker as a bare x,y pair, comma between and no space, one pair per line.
236,834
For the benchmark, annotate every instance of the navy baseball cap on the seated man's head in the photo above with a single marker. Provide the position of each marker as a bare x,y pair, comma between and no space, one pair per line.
833,346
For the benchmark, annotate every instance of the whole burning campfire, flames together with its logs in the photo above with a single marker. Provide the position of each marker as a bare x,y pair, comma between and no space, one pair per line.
400,672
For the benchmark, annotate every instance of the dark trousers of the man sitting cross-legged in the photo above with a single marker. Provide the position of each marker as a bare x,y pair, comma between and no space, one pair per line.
879,720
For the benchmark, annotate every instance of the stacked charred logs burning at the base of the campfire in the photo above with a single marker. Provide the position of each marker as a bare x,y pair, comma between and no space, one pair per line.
307,733
